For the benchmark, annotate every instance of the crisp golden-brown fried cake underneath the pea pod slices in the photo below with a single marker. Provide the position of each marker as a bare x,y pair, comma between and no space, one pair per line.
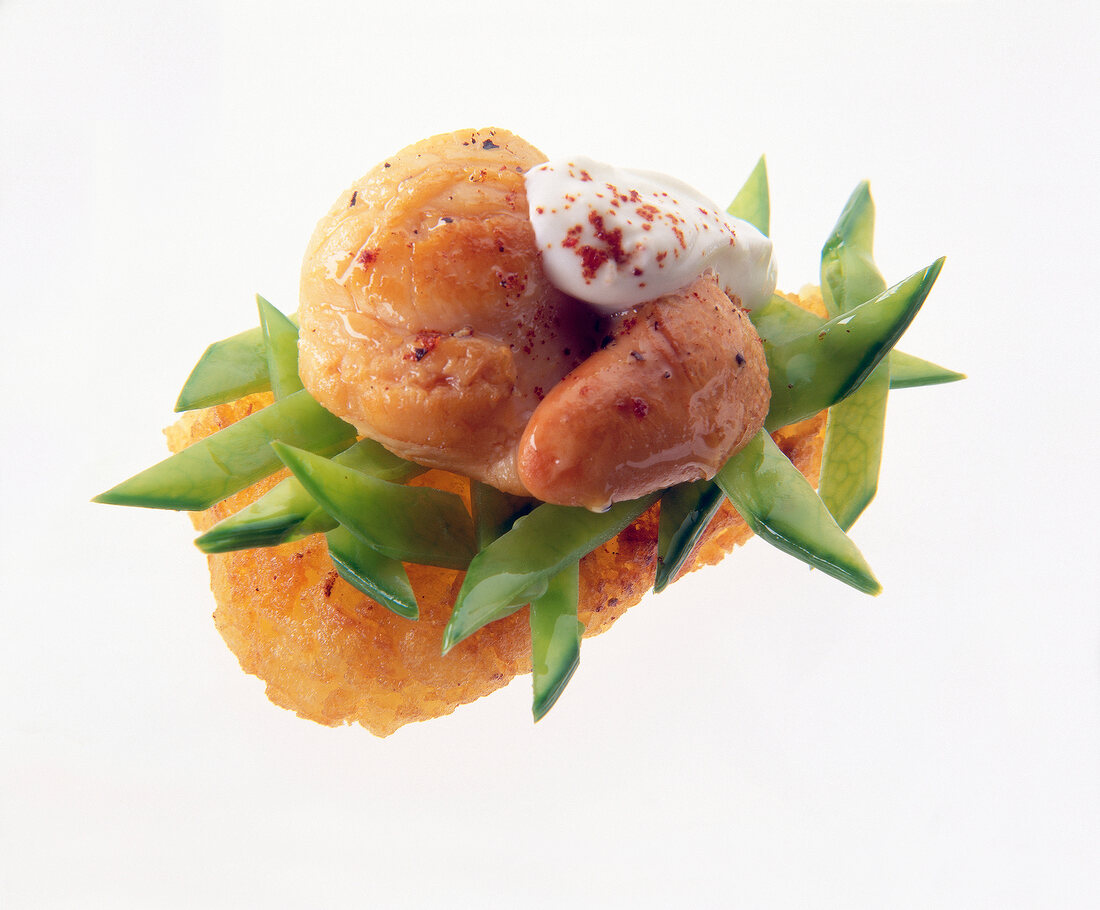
335,656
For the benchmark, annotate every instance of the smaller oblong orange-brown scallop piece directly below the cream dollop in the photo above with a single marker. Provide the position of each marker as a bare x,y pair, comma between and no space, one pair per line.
679,387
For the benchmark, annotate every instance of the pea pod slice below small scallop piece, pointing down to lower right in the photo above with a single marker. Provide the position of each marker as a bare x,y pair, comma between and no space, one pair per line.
782,508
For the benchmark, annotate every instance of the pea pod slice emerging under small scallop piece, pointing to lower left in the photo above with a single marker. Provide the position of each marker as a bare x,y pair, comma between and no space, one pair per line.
541,544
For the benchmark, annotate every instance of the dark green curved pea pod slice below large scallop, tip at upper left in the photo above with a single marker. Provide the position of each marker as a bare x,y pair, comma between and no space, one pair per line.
413,524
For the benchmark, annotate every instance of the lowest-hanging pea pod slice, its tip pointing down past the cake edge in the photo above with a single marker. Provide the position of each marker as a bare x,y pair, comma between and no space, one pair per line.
556,639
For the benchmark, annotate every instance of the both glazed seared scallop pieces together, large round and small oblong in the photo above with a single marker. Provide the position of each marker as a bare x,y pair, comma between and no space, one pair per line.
430,324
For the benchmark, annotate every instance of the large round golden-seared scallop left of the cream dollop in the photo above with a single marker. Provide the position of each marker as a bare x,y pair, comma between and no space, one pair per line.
426,319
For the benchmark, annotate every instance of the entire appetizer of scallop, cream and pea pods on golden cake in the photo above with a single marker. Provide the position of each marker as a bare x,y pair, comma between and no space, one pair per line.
525,393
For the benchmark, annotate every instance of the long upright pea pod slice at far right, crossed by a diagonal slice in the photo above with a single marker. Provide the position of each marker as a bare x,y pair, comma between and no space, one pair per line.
853,452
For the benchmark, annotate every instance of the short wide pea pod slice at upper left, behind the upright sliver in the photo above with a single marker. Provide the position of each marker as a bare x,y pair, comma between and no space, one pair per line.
228,370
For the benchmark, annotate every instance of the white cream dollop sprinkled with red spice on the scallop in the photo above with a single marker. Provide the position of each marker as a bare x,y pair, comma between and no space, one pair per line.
617,238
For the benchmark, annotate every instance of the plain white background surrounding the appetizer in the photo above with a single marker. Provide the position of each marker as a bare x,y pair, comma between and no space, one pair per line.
758,737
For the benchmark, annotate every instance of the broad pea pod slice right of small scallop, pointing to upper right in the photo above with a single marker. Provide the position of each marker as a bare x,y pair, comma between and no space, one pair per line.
819,369
